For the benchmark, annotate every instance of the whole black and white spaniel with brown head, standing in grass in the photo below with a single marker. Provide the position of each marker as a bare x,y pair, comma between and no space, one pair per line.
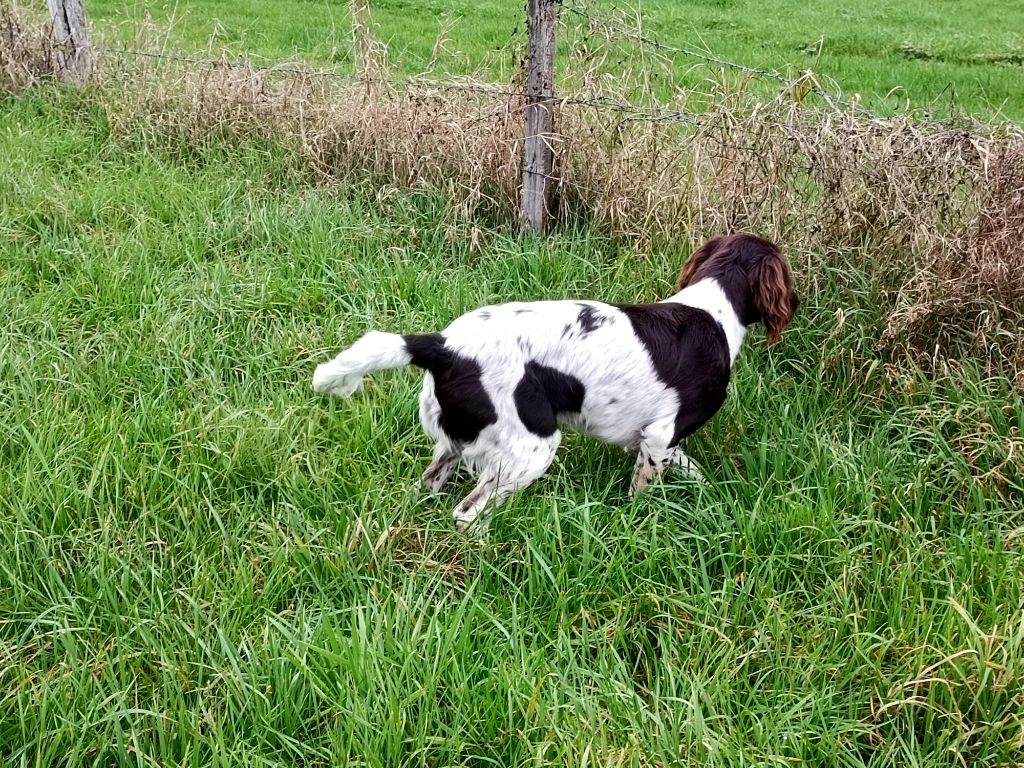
502,380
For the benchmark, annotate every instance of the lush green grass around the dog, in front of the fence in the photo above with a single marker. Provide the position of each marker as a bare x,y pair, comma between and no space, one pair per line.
203,564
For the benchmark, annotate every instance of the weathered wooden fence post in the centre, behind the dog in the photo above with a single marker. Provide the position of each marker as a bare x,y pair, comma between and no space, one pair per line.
538,152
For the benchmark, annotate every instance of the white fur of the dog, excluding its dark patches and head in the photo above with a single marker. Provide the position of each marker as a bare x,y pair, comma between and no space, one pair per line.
627,404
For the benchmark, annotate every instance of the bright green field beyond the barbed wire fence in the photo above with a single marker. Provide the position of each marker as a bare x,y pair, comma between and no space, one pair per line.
954,56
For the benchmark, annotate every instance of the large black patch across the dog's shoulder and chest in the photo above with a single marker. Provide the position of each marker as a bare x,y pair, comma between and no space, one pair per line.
691,354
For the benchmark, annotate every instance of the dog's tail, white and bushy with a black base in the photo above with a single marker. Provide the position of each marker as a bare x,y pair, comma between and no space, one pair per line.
377,352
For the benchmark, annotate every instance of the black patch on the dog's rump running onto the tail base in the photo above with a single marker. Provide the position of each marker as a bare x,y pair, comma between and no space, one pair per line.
466,408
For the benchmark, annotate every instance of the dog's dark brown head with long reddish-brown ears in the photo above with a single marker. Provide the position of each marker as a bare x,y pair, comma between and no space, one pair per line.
754,275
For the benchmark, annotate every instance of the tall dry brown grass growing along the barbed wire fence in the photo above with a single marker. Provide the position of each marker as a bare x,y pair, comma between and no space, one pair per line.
933,215
